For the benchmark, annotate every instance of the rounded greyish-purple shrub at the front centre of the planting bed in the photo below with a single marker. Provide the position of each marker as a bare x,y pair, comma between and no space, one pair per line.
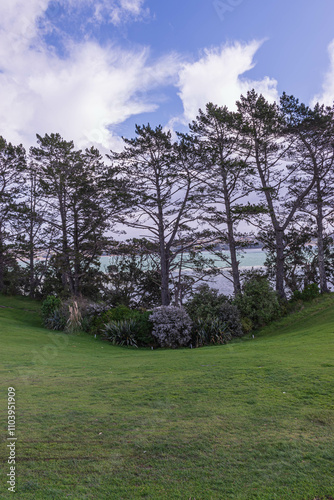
171,326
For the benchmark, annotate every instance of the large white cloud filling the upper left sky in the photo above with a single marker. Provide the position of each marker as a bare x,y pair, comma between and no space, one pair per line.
81,96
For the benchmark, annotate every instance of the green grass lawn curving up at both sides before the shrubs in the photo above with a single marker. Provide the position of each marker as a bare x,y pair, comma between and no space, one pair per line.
250,420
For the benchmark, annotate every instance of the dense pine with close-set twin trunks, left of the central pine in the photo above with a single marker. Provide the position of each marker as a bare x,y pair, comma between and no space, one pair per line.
74,184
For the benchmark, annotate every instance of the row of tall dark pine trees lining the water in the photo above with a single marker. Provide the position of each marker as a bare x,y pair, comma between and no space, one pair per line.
266,165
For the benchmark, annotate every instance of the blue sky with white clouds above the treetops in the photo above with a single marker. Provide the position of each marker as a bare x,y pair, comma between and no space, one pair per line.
91,69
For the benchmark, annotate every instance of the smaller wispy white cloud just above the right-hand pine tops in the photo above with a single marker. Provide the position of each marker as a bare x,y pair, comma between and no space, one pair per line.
217,77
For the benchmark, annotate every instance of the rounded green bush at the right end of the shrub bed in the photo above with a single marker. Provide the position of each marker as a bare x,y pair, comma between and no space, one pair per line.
258,301
